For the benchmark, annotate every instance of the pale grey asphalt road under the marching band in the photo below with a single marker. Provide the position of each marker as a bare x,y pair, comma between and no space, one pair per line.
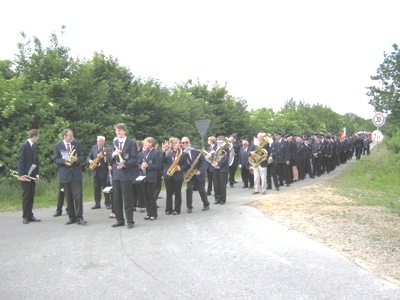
231,251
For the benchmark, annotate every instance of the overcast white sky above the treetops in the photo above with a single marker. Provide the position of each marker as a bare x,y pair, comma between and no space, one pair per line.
266,51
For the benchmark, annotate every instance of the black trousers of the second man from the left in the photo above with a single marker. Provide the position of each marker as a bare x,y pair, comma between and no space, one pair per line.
73,193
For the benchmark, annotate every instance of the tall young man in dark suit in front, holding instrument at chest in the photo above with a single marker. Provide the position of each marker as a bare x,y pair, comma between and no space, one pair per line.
124,159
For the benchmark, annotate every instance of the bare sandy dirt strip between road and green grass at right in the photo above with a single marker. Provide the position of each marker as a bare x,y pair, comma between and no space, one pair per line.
367,235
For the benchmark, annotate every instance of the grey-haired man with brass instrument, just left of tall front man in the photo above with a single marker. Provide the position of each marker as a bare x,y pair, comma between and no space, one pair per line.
98,162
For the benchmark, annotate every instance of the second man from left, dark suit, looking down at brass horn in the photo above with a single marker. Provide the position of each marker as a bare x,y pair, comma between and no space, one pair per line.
68,156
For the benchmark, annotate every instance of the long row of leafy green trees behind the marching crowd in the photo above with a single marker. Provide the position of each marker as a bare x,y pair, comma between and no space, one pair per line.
45,88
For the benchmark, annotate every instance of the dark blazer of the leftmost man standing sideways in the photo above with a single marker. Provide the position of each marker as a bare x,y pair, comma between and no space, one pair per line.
26,158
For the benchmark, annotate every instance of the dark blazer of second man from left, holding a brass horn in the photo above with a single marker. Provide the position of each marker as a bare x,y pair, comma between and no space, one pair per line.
68,174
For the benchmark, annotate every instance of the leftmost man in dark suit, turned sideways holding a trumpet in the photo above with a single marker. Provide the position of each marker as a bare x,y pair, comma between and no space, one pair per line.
28,172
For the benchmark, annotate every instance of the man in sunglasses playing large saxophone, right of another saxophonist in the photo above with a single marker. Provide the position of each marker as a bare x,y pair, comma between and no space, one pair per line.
195,172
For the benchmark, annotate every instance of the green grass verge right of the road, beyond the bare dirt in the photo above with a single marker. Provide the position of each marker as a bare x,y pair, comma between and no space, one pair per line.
374,180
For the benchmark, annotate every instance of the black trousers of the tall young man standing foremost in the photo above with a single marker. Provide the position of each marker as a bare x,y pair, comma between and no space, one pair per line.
123,199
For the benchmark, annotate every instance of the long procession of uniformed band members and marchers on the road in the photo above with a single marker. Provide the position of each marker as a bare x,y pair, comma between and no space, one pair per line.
130,173
